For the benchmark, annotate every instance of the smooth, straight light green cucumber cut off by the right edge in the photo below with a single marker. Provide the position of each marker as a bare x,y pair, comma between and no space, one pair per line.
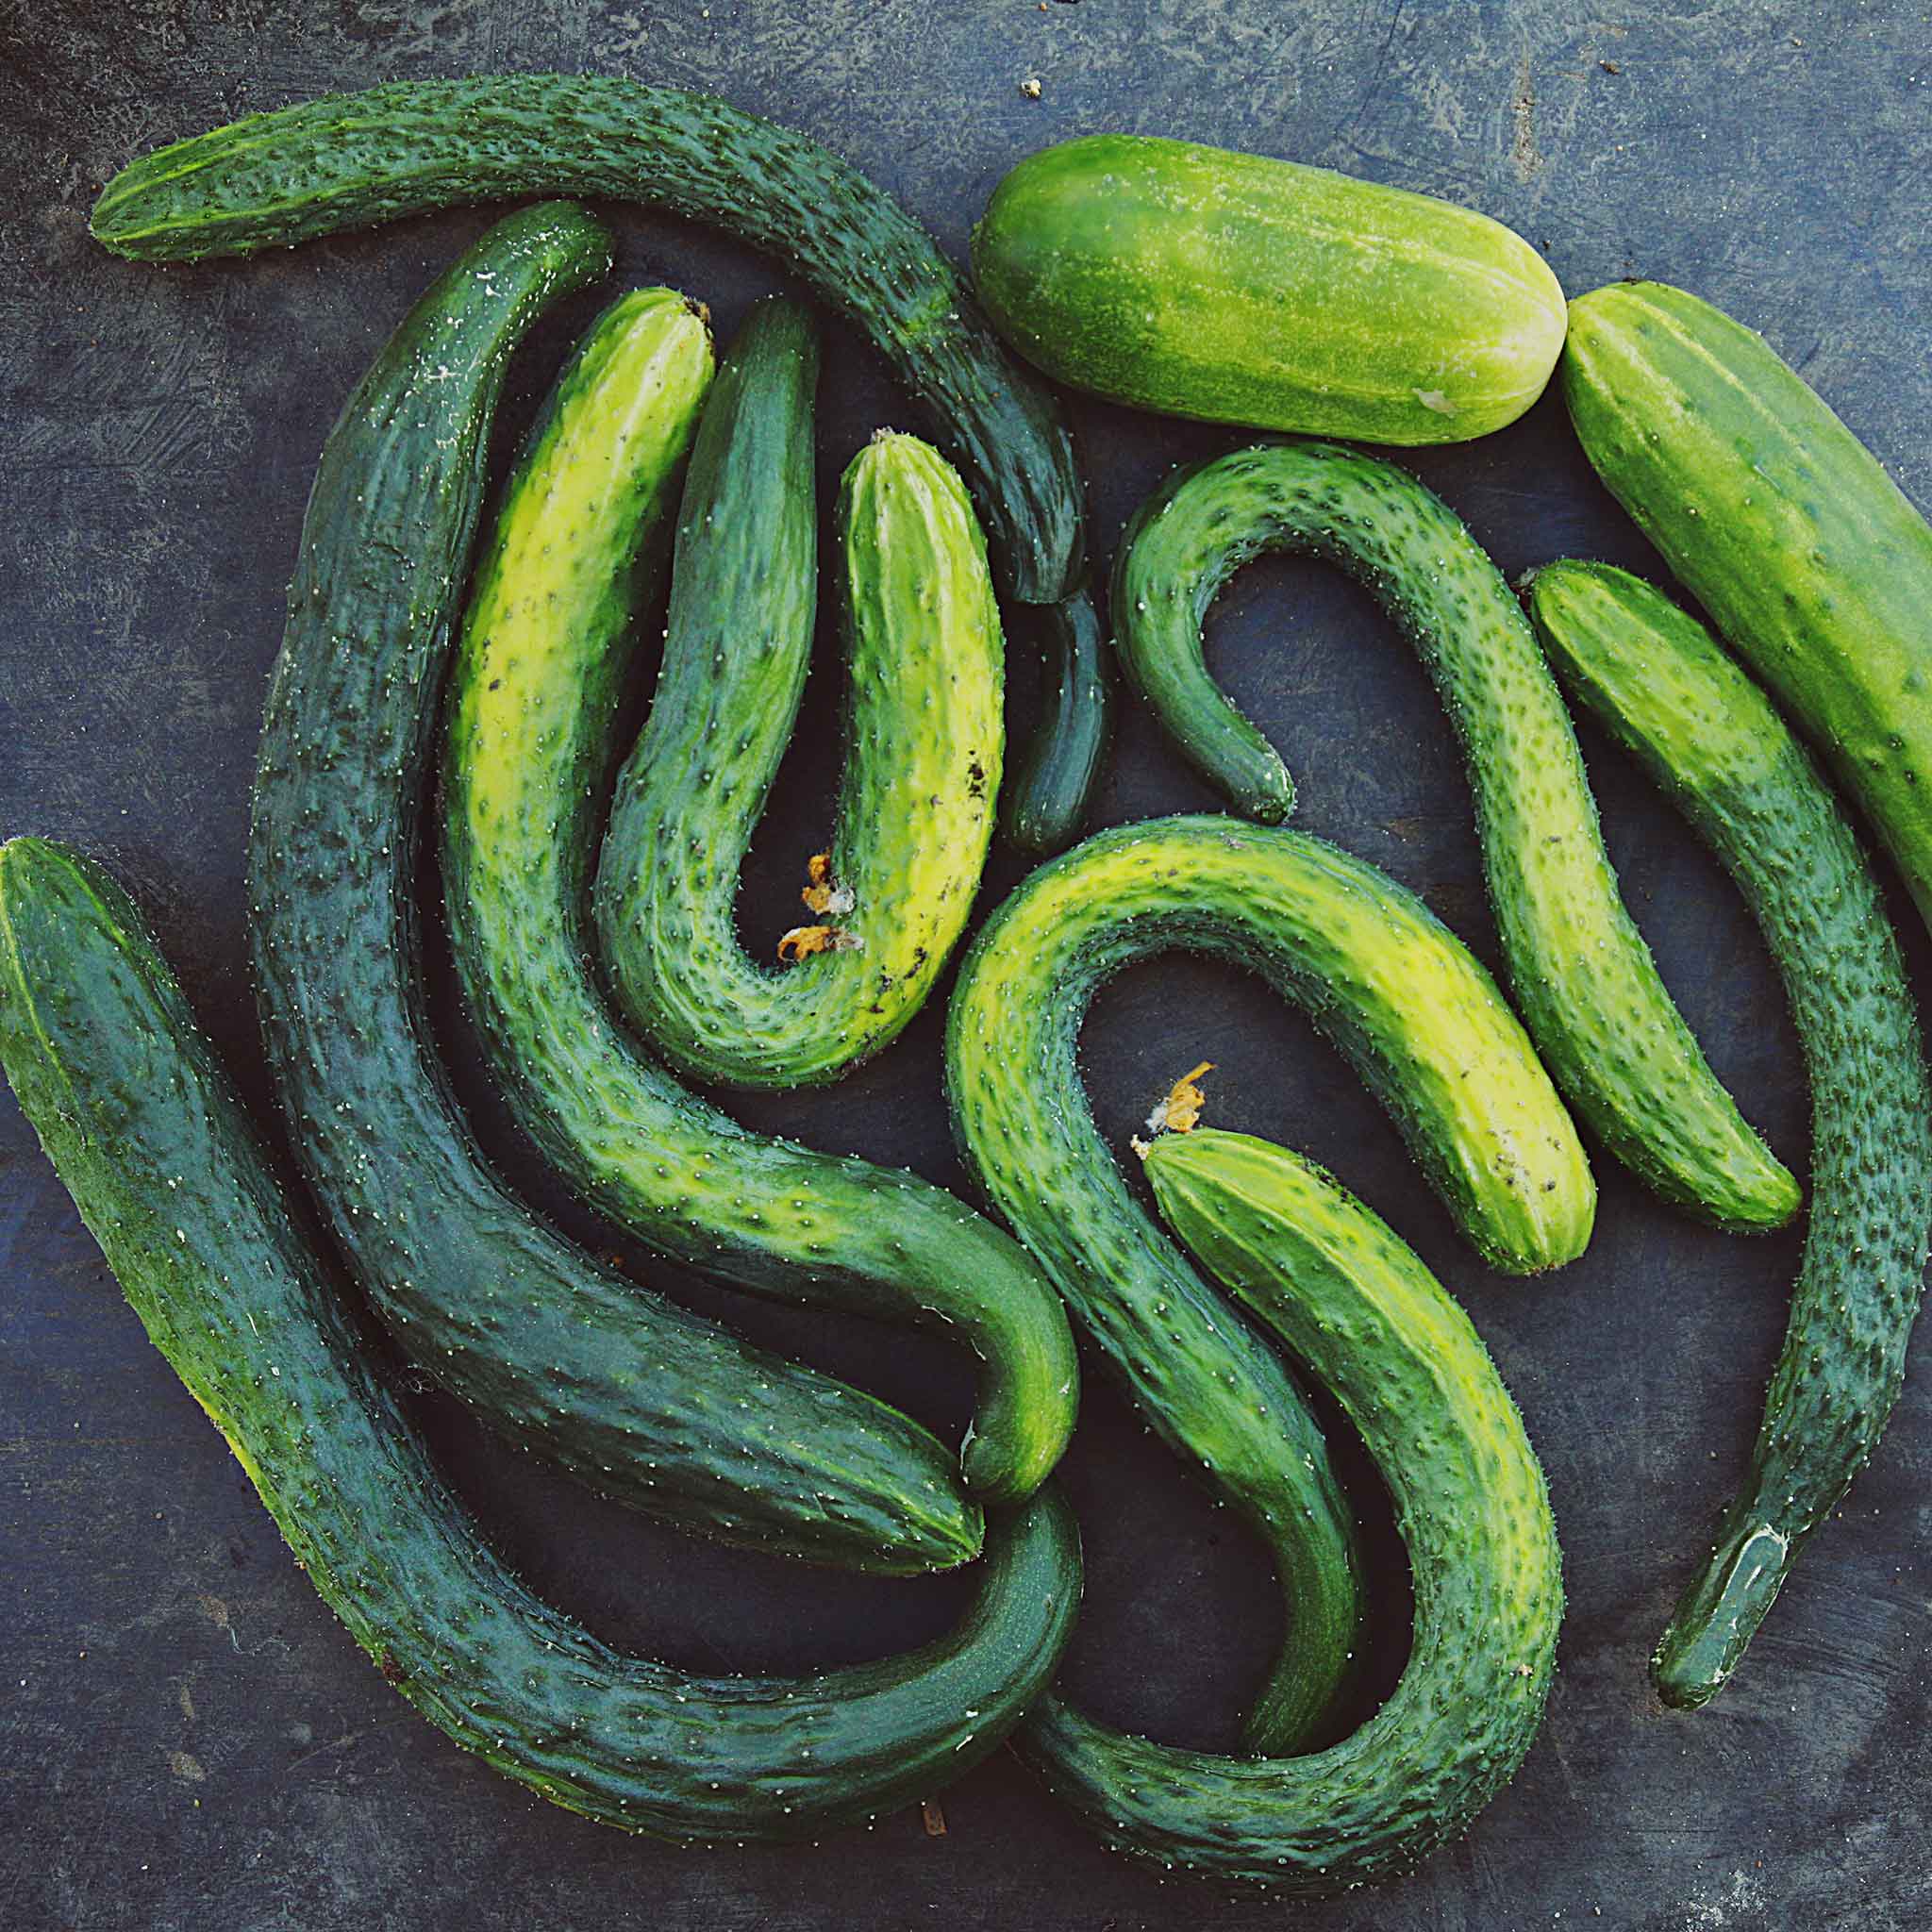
1809,559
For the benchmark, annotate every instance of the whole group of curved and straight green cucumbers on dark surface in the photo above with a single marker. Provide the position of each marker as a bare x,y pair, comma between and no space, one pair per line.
592,901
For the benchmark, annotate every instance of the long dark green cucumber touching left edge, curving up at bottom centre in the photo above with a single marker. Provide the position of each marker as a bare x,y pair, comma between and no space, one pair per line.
171,1176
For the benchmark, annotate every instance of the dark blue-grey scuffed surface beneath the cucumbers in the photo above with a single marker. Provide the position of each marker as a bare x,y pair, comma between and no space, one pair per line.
188,1738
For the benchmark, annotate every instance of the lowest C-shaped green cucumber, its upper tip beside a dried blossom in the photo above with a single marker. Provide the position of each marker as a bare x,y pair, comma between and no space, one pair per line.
1361,1313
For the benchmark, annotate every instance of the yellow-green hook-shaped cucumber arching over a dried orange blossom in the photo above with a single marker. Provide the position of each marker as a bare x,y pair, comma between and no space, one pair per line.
1431,1035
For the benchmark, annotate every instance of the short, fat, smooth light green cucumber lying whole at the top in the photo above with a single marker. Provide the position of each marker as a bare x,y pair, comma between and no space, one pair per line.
1249,291
